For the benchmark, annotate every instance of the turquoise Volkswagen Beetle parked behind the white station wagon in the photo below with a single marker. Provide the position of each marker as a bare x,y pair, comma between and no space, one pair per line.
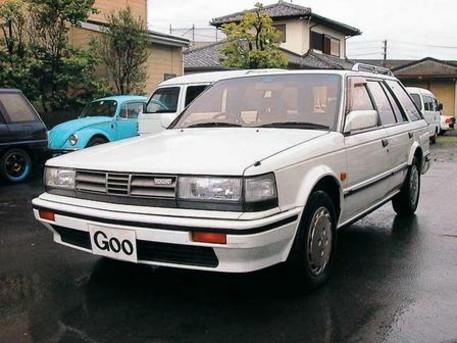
101,121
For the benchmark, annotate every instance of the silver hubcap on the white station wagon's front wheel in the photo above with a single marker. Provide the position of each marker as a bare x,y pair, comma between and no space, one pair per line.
320,241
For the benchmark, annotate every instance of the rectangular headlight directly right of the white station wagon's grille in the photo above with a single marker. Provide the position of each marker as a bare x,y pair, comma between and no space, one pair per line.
210,188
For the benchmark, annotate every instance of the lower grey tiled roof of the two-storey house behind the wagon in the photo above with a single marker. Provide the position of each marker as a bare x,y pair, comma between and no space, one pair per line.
207,58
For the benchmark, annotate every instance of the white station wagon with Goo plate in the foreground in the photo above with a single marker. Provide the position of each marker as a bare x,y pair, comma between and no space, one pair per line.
257,171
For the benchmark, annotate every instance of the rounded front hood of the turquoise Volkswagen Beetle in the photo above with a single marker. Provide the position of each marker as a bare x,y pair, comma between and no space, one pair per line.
59,134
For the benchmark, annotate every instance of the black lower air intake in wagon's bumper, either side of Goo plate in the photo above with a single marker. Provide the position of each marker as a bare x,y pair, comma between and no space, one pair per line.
151,251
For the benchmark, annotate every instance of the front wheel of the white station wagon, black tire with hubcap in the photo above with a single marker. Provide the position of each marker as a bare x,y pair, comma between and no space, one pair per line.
311,258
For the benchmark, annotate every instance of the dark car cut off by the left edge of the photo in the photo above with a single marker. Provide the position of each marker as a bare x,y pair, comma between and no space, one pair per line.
23,136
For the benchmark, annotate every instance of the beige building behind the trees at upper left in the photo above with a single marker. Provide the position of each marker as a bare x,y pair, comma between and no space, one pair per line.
166,58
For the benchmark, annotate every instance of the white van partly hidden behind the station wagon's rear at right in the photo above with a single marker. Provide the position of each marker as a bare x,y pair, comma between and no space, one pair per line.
427,103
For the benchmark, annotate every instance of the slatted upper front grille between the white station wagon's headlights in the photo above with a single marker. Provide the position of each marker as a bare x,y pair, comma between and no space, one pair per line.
124,184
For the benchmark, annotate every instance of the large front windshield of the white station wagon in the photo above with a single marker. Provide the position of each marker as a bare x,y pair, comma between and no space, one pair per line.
300,101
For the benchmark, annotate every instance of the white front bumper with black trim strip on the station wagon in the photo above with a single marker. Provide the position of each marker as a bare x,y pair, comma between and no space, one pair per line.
165,239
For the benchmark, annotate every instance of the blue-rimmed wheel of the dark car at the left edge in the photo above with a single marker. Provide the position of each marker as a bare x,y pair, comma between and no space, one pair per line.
16,165
